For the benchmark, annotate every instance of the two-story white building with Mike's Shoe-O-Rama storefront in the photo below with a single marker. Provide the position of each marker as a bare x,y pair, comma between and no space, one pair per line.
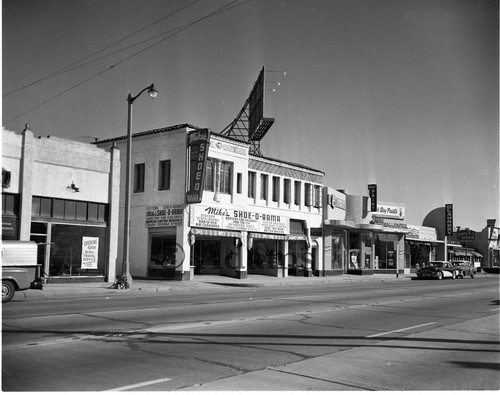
202,204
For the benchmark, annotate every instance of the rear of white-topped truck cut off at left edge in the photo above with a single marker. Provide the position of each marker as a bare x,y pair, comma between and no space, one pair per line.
20,270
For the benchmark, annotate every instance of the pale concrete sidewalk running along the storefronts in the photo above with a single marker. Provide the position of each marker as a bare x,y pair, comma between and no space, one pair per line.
206,283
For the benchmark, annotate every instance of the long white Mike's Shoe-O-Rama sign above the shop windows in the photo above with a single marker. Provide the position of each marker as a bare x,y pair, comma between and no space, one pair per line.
226,218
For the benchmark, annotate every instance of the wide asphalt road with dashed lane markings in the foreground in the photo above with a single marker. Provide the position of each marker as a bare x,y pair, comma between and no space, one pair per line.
411,335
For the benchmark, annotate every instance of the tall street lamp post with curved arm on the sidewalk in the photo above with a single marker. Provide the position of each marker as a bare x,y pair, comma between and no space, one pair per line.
126,279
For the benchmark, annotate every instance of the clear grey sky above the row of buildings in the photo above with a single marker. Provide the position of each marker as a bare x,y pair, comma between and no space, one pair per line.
398,93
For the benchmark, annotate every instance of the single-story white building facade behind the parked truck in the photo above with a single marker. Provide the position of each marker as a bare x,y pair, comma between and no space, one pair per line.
64,195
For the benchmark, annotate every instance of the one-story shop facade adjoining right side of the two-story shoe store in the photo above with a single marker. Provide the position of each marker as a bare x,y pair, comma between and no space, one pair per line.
358,241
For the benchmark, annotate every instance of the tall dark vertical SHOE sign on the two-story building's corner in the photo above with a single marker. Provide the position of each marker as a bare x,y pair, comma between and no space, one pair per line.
198,143
